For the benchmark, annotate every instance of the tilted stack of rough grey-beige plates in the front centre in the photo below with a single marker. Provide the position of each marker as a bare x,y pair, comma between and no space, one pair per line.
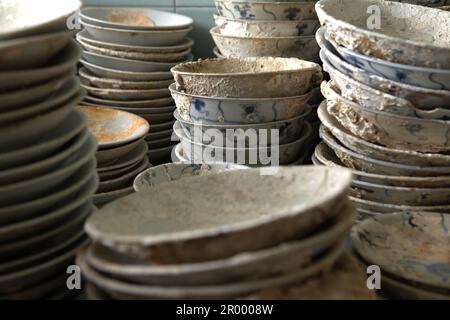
282,229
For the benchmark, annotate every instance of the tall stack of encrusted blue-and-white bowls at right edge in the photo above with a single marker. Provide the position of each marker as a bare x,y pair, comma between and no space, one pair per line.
387,110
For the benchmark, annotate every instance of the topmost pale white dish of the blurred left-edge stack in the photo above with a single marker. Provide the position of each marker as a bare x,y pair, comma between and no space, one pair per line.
27,17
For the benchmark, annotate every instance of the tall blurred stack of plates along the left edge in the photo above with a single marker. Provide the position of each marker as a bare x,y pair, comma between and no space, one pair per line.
47,165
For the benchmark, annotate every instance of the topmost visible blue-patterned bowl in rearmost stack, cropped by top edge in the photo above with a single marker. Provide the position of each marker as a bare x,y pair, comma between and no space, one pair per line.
251,10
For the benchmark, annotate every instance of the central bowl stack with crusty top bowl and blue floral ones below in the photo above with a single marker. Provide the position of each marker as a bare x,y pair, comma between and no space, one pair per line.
221,102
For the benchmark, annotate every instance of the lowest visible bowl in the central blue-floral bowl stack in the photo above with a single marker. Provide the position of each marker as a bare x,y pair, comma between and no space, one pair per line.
252,156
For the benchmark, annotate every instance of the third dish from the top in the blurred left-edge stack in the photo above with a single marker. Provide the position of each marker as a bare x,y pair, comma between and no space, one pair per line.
61,65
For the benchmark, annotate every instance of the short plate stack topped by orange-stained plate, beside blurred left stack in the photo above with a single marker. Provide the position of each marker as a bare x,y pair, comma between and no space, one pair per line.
122,150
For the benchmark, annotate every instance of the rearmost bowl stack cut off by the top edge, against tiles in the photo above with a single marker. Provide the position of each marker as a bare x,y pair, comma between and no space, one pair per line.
247,28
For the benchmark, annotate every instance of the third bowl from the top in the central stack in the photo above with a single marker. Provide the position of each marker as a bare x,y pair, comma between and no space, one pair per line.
220,135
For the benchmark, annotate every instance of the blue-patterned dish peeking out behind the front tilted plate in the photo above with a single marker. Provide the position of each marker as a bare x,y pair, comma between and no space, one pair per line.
175,171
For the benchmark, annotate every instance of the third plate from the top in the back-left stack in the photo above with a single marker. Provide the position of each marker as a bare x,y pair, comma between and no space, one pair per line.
141,56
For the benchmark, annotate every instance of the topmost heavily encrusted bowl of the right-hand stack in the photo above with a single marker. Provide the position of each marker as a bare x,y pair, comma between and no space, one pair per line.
408,34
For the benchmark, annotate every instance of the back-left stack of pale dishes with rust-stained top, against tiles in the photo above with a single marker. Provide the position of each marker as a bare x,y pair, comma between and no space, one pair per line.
127,55
